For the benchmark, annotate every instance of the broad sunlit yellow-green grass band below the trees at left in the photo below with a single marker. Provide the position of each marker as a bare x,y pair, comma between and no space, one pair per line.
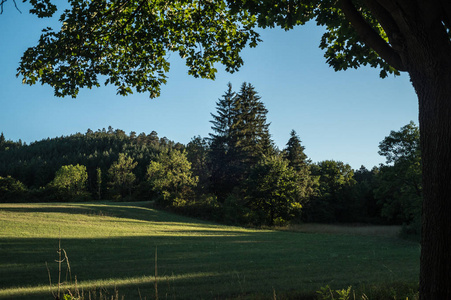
99,221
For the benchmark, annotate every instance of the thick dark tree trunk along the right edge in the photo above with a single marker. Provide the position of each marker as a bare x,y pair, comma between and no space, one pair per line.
432,82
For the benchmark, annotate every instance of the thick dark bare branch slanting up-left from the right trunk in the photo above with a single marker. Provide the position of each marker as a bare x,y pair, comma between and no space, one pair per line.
370,37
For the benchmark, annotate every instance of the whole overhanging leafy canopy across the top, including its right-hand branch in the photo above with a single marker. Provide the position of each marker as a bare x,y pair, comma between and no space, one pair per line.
126,43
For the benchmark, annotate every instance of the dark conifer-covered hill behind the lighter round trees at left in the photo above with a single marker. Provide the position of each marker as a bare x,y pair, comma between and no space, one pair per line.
35,164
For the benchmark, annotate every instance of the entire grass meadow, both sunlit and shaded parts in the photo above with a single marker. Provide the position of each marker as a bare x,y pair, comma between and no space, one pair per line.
112,245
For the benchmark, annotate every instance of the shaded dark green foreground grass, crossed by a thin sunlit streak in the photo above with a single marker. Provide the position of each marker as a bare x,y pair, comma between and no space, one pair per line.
221,266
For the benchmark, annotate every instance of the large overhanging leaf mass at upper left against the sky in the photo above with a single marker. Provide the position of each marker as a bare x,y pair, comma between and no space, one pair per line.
128,44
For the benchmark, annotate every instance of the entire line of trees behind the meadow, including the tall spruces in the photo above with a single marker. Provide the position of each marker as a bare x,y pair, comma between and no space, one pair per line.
236,175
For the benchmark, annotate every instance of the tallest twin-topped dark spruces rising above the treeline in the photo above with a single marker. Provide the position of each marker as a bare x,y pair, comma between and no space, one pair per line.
240,139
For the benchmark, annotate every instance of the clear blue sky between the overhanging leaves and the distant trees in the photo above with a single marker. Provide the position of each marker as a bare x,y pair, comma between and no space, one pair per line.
338,115
